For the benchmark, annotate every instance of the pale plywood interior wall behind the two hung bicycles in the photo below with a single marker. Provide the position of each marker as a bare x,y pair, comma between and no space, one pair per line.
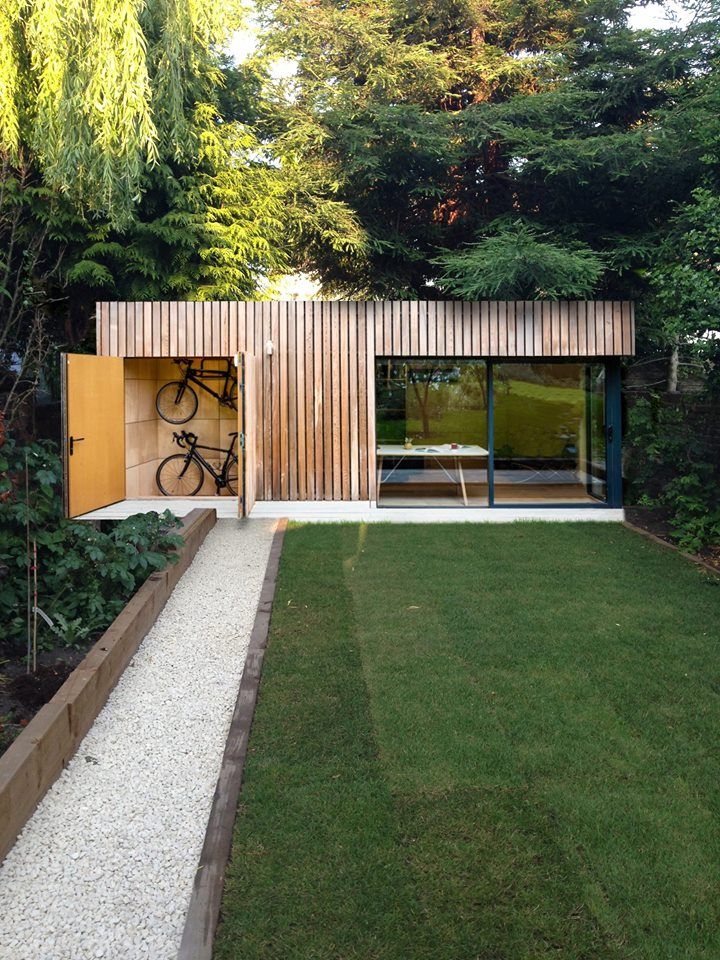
148,438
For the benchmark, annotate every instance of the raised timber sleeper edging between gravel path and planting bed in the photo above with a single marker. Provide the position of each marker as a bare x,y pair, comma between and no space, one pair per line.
33,762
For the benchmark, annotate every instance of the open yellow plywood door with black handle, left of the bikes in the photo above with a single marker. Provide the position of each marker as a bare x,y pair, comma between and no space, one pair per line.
93,431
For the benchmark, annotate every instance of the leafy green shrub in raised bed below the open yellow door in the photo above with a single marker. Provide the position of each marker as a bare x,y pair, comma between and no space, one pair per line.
85,575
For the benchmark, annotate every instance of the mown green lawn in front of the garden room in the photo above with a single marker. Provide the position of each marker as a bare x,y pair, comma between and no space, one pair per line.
482,742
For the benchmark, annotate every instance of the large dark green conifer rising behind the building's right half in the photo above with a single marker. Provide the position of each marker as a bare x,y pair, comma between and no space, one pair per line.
440,124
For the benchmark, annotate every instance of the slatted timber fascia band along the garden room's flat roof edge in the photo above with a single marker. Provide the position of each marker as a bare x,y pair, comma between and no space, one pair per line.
408,328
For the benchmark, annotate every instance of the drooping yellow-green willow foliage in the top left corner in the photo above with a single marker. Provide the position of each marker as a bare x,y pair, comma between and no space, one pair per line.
100,92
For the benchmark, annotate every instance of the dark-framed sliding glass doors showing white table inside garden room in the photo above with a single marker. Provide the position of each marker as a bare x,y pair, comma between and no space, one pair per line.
465,432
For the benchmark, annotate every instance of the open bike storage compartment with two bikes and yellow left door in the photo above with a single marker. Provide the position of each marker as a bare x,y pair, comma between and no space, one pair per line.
115,438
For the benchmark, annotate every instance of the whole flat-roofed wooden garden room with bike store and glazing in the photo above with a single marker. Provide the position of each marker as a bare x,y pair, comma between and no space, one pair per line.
509,404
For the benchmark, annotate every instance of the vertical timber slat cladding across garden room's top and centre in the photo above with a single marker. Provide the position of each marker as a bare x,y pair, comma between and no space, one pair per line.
316,393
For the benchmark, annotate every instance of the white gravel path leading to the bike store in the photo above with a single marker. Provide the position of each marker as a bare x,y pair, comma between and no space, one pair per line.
105,866
